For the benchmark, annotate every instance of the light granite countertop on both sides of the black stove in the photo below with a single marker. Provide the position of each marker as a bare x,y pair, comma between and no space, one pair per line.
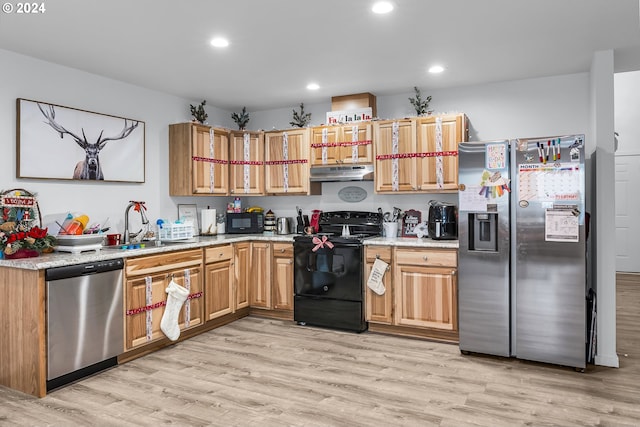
58,259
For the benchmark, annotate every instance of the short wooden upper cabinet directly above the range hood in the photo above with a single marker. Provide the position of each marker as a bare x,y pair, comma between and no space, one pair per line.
343,144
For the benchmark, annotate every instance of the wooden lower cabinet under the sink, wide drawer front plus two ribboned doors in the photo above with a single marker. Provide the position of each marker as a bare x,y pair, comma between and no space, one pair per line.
146,279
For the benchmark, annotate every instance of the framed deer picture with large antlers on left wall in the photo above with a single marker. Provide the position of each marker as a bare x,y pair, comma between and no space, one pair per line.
57,142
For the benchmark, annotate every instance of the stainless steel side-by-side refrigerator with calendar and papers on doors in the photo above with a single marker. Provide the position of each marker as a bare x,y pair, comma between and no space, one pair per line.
522,255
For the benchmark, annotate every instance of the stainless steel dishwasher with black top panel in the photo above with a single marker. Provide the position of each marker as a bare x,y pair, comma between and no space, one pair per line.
85,329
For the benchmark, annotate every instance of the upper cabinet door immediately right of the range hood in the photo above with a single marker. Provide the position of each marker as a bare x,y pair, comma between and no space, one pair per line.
395,167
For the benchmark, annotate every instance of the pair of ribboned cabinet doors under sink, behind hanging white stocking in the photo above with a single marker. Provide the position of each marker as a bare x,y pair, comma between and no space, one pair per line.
139,309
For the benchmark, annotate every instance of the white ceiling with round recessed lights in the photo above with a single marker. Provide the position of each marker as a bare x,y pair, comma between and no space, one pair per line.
279,46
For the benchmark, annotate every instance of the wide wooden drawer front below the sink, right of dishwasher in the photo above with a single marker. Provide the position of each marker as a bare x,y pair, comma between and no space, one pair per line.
148,265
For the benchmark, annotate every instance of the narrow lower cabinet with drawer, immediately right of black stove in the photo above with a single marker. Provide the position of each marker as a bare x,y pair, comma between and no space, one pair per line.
379,308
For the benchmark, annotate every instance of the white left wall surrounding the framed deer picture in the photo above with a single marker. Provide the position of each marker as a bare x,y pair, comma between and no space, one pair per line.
25,77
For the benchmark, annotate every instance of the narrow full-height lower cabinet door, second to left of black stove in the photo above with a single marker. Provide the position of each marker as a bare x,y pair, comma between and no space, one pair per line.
260,275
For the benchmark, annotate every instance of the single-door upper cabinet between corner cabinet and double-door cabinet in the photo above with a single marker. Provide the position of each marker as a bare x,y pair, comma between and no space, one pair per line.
246,162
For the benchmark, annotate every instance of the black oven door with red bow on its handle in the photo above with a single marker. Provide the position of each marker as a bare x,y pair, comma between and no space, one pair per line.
334,273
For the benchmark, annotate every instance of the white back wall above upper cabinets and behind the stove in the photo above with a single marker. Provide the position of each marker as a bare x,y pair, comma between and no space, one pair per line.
523,108
